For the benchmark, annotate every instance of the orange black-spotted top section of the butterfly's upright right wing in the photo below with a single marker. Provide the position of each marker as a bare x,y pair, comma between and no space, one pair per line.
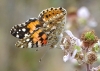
52,14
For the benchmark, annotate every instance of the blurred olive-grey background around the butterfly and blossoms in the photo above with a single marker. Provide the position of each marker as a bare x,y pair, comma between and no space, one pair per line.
14,12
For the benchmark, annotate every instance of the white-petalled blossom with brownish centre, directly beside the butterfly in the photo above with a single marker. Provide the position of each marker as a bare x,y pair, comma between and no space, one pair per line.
71,45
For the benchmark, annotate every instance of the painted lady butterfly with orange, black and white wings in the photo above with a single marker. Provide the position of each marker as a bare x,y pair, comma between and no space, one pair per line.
40,31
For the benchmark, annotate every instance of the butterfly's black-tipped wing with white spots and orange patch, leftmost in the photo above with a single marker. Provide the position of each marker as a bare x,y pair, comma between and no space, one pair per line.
23,30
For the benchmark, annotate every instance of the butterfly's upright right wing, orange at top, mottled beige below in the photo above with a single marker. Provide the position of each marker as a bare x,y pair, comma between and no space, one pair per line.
53,20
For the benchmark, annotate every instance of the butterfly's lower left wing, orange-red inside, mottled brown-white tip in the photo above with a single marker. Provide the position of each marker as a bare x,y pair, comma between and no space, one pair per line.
36,39
